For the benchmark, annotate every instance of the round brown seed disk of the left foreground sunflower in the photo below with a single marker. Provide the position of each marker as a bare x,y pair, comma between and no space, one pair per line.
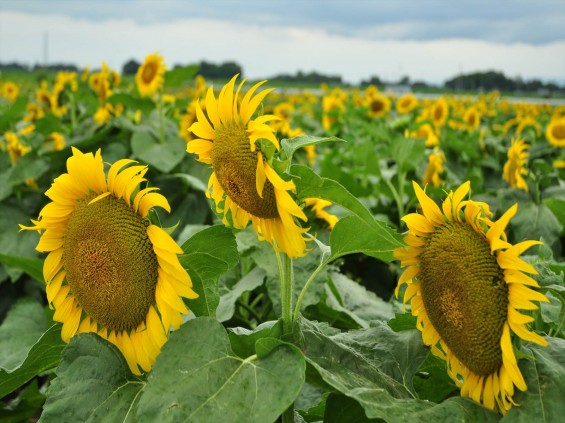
110,263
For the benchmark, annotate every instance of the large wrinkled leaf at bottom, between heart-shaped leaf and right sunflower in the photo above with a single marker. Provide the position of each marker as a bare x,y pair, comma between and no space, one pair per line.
375,367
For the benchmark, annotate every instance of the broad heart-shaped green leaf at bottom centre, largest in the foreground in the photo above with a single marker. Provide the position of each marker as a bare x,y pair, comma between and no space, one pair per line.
198,378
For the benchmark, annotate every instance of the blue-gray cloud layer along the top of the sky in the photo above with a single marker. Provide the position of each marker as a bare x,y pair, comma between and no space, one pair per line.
517,21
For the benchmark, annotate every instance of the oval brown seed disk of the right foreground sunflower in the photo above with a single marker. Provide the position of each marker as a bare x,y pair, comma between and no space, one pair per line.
465,295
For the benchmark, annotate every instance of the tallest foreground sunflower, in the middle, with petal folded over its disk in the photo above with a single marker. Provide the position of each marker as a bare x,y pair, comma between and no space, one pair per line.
243,185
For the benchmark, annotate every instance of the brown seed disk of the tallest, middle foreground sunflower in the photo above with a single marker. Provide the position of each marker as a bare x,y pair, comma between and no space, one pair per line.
235,166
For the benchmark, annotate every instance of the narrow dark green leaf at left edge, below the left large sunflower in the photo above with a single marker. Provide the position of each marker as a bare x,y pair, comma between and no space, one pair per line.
44,355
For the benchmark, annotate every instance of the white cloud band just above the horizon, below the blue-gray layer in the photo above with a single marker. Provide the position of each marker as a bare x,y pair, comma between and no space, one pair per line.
265,51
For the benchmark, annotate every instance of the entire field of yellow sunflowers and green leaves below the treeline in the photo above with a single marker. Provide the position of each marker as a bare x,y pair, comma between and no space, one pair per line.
177,250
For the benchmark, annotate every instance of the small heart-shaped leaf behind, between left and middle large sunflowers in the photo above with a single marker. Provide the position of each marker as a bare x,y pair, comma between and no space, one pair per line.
162,156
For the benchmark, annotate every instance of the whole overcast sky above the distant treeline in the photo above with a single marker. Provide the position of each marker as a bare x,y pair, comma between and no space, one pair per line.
429,40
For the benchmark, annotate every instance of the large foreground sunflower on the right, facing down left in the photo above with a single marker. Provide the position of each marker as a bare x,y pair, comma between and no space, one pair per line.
467,309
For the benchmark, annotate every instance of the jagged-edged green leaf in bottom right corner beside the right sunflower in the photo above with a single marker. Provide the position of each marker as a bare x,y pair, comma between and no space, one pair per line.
545,378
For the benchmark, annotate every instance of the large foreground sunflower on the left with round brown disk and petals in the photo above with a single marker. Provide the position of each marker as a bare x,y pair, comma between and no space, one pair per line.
109,270
